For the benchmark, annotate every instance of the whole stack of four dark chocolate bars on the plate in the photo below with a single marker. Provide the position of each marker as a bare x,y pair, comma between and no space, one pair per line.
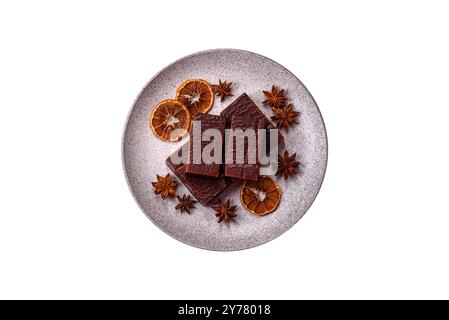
207,181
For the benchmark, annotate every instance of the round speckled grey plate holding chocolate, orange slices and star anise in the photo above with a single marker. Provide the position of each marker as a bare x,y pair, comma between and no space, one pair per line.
144,155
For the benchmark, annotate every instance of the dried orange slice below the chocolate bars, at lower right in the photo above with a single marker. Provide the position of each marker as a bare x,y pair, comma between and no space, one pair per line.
260,197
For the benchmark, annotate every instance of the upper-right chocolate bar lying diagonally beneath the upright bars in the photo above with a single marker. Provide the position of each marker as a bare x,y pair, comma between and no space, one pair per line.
245,107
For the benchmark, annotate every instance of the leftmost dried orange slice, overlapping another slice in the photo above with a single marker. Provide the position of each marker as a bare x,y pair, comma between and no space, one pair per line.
170,120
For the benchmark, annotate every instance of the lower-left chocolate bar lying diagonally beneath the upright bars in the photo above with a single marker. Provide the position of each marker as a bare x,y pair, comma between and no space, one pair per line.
205,189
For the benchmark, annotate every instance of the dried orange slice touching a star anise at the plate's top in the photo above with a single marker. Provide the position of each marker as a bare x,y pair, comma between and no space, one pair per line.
196,94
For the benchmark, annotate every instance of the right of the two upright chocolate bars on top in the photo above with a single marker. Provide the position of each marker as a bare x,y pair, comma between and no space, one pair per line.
239,143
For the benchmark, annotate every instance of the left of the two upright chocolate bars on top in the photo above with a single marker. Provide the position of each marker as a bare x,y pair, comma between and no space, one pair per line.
196,162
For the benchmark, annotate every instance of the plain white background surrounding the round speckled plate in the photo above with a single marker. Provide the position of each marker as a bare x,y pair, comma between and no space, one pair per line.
69,72
